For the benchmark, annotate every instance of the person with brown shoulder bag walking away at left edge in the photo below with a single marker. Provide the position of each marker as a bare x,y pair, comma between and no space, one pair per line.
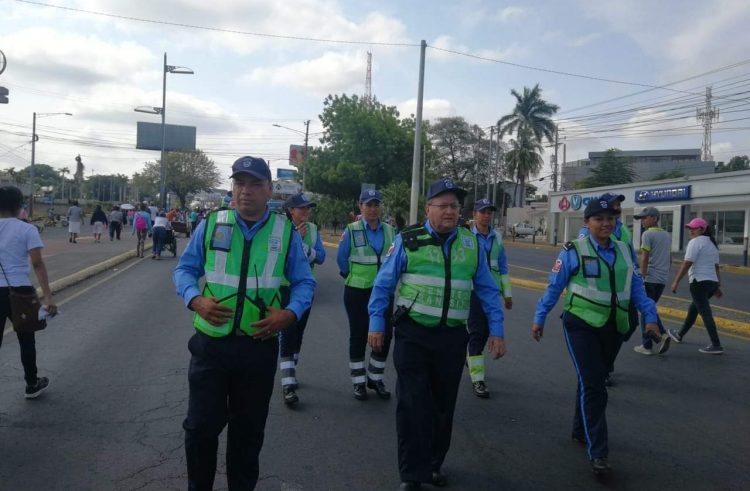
19,242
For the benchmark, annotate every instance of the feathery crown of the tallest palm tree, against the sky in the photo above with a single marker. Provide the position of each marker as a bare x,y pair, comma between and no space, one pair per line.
531,112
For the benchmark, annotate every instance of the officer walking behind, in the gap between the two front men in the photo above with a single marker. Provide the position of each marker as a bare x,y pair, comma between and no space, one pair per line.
362,250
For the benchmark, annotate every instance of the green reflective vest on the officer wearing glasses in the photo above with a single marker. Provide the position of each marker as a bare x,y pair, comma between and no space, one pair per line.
437,288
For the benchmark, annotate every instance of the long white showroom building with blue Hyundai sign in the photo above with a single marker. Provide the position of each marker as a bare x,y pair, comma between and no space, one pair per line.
722,199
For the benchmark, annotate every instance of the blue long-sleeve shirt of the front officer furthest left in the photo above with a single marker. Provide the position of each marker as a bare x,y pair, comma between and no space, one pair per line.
297,270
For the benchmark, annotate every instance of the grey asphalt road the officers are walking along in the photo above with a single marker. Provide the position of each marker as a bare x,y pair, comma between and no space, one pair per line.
117,360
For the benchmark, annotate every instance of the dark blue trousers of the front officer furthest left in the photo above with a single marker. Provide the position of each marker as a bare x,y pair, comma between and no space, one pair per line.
231,381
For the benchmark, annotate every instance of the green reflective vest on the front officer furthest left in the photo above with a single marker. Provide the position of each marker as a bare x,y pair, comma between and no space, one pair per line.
248,269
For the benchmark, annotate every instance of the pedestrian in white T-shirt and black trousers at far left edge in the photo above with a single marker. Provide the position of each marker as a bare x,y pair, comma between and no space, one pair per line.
19,243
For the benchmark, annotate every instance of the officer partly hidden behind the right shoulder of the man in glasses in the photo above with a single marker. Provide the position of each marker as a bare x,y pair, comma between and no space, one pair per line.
491,244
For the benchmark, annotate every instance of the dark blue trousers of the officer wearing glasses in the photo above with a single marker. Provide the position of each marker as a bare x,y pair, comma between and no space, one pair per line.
429,363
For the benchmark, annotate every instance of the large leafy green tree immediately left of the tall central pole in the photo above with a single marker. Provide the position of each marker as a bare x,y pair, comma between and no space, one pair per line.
361,143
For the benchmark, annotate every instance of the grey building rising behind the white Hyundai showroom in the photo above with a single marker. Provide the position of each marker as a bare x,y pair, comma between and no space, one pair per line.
645,163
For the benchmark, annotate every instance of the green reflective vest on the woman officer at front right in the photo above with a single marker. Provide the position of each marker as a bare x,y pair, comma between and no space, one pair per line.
598,291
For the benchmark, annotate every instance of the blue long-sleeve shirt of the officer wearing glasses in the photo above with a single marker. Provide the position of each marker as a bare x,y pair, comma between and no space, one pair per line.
396,263
